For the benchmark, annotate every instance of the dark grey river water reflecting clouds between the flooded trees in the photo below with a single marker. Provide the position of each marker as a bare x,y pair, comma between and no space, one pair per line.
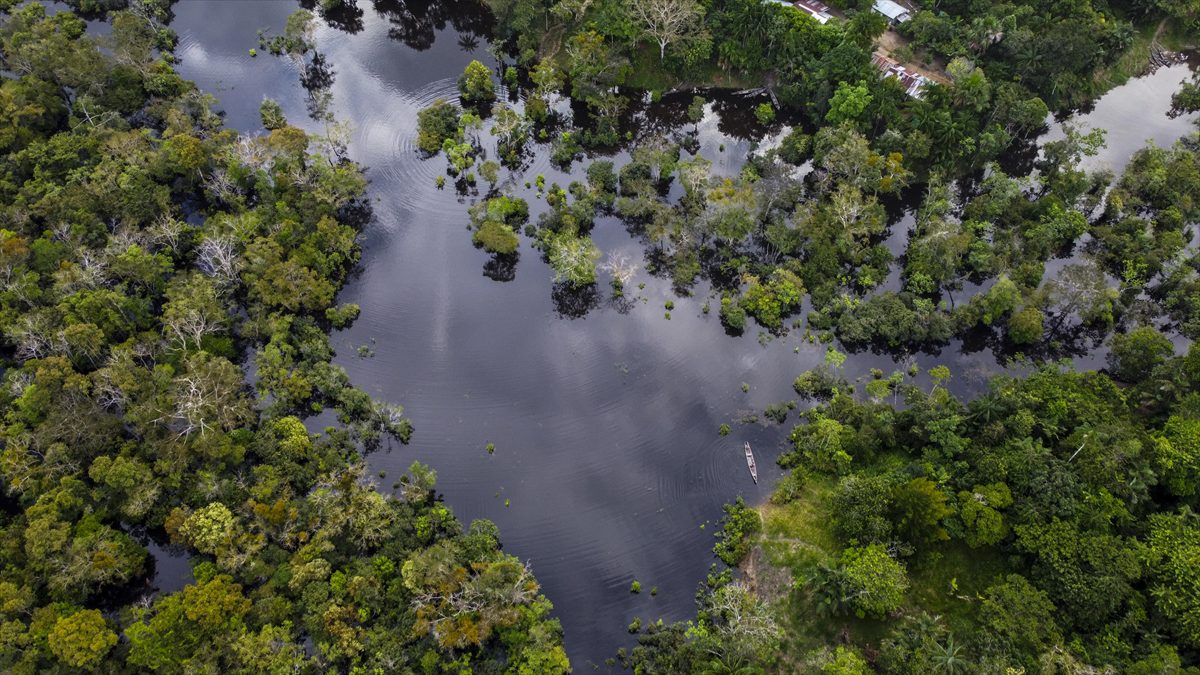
608,464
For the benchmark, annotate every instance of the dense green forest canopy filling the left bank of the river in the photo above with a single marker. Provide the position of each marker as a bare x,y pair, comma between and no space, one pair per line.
148,256
